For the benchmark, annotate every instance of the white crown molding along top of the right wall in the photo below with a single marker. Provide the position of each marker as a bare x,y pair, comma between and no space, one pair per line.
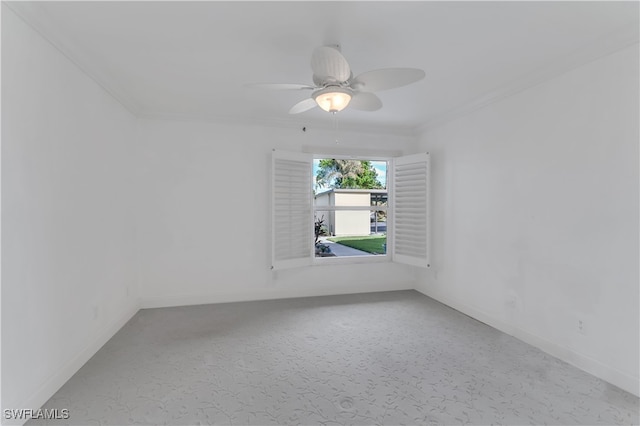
623,38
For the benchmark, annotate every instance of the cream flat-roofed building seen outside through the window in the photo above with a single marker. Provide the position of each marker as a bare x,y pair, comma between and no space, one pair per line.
348,222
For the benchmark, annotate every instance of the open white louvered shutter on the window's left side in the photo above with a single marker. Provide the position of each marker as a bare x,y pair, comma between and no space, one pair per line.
292,224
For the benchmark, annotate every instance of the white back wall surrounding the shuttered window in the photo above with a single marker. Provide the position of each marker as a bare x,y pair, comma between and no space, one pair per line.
204,219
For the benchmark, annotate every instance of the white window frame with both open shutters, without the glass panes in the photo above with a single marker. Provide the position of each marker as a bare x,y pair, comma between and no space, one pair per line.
413,173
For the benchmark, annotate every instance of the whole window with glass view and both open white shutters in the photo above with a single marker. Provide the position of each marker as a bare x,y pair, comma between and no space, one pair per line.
395,215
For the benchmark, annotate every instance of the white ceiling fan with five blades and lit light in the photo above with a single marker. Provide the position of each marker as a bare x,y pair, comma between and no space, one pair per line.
335,87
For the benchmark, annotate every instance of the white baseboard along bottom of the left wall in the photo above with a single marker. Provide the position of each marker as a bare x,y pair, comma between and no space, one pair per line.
50,386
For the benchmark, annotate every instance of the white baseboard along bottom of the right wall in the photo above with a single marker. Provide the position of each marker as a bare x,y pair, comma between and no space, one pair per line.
607,373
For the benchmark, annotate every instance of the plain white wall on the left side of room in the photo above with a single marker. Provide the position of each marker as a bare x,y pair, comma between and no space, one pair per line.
68,276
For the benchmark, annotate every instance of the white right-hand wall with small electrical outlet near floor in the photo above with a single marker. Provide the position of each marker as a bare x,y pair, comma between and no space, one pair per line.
535,216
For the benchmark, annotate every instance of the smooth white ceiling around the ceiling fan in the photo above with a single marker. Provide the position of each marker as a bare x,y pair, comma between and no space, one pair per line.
192,59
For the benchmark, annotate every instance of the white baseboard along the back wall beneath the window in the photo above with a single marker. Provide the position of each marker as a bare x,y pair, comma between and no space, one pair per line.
205,299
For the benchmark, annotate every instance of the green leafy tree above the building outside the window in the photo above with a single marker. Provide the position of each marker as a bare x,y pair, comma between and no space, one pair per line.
352,174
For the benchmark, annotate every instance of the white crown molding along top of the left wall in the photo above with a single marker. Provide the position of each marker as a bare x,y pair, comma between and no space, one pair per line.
36,18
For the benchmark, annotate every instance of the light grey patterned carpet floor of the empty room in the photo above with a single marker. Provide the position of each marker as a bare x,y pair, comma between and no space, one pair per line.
379,358
